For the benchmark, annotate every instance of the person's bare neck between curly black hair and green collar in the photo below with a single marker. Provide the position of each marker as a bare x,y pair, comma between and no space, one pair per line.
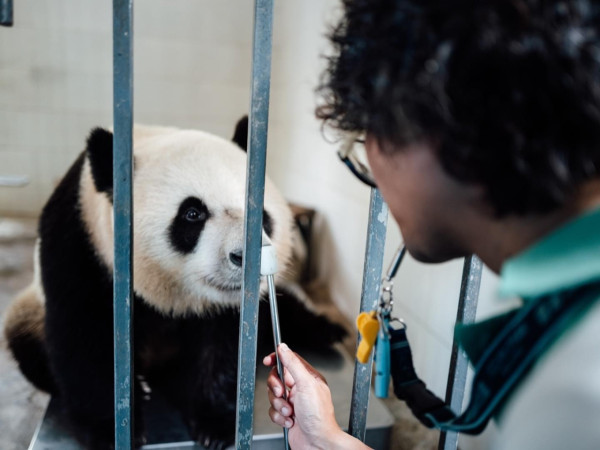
513,234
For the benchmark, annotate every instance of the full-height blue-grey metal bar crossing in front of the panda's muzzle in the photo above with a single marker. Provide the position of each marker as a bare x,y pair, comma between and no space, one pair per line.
255,186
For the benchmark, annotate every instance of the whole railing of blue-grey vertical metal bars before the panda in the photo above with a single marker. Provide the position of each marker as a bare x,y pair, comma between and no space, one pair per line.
257,139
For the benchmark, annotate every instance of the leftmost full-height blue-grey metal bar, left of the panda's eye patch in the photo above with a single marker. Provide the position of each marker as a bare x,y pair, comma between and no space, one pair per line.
123,218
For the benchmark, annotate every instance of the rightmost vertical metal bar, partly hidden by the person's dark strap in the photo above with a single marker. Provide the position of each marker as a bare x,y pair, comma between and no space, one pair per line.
457,374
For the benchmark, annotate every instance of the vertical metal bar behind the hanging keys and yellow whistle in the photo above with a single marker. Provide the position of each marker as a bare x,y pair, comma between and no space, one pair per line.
378,214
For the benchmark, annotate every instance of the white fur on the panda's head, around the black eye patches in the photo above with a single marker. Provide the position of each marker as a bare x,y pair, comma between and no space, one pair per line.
170,165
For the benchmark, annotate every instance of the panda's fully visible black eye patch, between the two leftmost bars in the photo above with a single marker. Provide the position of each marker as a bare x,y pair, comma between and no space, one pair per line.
187,225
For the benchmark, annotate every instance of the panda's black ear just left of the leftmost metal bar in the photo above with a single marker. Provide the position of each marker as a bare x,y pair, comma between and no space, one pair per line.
100,153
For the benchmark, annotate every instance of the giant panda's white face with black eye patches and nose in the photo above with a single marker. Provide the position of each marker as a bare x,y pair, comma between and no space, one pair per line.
189,200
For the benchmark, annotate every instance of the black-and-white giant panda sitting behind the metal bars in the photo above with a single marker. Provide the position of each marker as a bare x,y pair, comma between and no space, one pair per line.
189,199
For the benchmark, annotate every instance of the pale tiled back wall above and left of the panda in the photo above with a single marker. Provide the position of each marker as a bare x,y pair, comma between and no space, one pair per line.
192,62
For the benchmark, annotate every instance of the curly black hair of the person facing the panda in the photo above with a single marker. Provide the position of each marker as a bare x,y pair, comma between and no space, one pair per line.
509,90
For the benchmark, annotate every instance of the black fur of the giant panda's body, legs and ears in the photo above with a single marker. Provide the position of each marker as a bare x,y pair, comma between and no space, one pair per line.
190,359
